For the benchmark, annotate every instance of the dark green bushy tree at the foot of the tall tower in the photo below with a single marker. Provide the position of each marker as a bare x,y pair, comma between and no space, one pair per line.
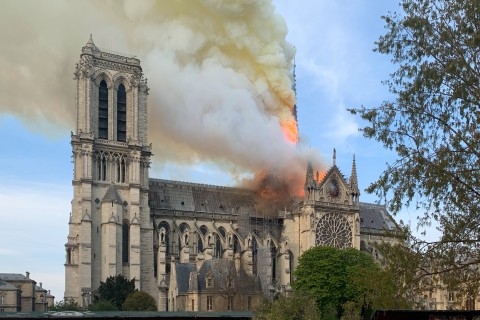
115,289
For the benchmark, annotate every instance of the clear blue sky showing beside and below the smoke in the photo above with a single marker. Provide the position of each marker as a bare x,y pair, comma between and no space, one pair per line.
336,69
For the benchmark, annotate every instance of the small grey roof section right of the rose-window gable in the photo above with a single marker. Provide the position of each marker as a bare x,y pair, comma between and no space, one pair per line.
375,216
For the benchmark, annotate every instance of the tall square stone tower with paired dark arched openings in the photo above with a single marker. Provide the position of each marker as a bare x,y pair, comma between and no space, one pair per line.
109,229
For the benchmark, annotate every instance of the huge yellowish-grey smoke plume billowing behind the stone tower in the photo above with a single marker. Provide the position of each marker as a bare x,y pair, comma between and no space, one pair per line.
219,72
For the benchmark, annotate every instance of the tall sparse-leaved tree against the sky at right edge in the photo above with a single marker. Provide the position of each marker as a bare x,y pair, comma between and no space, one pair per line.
432,124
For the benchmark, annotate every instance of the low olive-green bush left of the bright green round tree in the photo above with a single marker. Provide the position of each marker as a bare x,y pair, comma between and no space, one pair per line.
295,306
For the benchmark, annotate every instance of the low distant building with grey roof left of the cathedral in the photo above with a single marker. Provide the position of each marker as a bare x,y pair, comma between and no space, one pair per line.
19,292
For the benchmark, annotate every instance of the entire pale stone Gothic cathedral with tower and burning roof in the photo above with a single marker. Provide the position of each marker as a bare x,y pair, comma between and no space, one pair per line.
193,247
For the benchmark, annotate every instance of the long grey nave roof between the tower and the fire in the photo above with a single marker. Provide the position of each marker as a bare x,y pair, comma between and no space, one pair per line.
202,198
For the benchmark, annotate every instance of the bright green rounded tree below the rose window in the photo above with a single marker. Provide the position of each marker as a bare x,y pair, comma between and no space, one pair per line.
334,277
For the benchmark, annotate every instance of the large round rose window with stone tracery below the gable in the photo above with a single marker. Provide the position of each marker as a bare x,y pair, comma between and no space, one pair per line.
333,230
